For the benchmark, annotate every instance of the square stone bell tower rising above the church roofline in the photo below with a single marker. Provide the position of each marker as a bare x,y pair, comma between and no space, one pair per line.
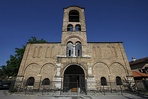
74,28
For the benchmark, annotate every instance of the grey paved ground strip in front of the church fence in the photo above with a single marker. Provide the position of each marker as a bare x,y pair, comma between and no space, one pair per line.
5,95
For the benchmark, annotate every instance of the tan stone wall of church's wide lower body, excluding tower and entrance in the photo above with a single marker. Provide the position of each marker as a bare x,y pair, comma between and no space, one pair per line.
98,60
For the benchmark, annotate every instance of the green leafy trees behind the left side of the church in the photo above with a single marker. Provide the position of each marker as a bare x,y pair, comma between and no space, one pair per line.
11,69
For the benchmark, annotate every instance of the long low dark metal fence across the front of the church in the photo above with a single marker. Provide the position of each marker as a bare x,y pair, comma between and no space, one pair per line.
73,88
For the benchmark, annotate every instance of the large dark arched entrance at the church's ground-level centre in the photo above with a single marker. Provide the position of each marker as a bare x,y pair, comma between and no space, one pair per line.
74,78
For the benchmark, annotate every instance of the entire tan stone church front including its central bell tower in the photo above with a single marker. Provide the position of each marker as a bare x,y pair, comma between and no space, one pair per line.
74,62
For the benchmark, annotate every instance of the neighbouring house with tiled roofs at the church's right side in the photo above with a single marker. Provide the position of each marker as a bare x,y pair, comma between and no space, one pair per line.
139,69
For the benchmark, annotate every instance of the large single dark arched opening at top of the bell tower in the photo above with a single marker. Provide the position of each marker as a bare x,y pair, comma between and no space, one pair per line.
73,16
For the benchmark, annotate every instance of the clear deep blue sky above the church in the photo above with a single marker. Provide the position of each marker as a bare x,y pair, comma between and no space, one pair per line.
106,21
